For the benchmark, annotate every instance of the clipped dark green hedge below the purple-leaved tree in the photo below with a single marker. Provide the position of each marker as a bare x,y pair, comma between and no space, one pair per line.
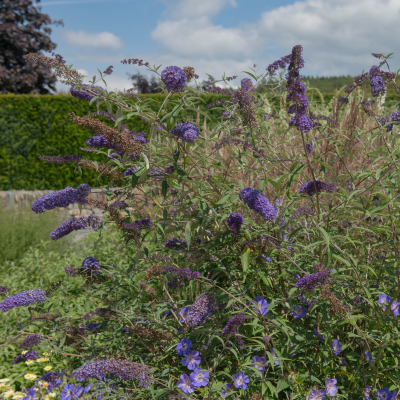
39,124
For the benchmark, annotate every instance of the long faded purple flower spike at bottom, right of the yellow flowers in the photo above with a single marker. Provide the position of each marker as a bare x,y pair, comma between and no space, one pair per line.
121,369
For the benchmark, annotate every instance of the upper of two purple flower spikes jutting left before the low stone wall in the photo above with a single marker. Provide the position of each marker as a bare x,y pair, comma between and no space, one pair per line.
62,198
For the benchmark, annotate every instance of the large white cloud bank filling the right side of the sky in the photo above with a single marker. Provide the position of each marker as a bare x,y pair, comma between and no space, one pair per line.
338,36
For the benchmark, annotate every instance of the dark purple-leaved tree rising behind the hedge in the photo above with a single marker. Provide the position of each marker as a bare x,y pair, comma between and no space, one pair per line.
21,33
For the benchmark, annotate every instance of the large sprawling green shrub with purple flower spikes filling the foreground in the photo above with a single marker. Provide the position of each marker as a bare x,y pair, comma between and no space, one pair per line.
265,261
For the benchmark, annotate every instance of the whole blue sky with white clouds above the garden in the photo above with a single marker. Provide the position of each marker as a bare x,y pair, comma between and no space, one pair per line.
217,36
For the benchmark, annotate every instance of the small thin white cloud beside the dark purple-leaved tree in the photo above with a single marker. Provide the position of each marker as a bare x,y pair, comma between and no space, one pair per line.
94,40
